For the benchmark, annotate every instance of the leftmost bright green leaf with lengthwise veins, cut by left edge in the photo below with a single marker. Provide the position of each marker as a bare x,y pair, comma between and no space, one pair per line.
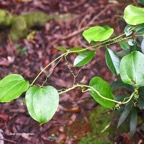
11,87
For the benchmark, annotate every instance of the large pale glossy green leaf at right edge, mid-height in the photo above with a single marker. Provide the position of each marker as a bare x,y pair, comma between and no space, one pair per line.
132,69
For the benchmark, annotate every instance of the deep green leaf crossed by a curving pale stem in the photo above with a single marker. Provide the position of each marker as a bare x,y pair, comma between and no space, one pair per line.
101,91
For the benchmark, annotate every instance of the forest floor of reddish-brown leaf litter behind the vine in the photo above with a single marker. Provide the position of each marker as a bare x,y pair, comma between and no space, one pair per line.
79,119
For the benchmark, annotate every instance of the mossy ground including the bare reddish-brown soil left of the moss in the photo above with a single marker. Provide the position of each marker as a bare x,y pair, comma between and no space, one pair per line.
101,129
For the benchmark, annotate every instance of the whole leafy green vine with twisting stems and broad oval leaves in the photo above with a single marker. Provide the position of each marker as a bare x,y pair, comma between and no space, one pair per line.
127,64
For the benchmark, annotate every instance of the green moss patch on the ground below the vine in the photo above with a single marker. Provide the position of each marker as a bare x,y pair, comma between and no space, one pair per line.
99,122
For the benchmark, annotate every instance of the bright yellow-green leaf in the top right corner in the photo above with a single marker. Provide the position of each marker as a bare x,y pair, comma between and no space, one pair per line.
134,15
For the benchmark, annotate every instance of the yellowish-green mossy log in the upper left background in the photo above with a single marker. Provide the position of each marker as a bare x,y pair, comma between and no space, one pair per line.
19,25
